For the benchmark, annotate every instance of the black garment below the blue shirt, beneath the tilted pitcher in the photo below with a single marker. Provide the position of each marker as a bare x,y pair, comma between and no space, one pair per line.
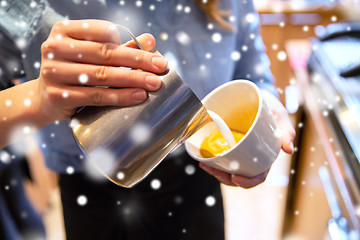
174,211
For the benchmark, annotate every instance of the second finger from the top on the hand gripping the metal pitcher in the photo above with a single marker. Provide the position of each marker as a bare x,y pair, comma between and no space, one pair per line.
108,54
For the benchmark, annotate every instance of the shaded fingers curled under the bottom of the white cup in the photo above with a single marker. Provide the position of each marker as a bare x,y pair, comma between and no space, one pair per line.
235,180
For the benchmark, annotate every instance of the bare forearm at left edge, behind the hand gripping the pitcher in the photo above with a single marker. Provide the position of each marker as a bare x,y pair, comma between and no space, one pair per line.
19,113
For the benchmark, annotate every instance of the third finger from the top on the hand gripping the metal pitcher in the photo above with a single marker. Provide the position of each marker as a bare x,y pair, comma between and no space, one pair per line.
66,73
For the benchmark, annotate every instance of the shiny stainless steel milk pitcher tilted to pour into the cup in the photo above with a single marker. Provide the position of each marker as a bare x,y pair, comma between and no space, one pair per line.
139,137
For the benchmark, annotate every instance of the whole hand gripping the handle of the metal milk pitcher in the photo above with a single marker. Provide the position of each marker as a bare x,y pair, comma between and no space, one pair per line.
81,57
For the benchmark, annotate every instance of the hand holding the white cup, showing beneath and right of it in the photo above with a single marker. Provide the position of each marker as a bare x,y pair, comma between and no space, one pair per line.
288,134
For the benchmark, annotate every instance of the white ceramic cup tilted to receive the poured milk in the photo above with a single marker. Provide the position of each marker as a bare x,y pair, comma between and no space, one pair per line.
242,106
